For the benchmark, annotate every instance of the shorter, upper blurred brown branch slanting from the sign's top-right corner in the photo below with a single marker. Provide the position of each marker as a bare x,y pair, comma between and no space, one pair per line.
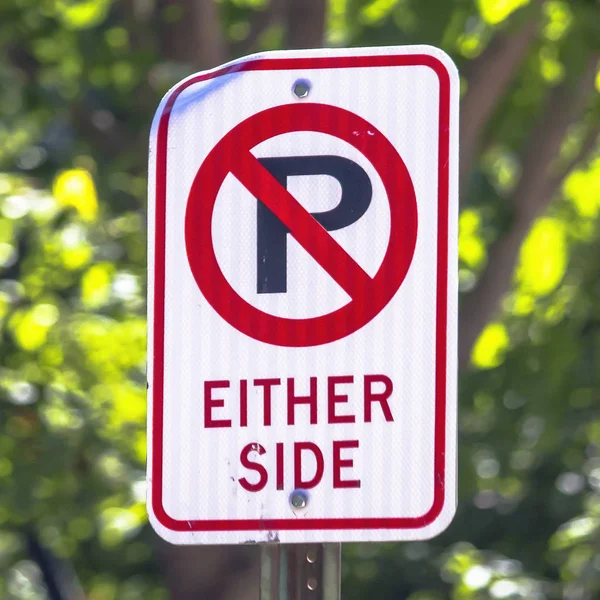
491,74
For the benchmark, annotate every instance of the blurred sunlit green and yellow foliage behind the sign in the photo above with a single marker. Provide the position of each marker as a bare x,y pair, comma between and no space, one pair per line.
79,82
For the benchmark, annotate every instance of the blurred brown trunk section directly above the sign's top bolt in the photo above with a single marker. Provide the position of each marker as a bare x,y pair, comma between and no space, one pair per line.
305,23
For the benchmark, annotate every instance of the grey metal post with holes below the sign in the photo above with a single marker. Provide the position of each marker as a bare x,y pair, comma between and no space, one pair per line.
300,571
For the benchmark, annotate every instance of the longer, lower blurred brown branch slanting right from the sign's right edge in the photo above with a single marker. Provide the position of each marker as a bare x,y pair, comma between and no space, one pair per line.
536,187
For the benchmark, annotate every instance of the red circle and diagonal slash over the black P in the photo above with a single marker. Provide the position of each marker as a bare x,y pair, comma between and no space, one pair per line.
369,295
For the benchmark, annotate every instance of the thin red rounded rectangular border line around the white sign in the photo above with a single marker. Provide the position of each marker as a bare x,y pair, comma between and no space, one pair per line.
439,475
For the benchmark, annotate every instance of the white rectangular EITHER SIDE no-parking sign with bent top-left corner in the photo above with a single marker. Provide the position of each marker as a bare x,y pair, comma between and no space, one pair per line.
303,301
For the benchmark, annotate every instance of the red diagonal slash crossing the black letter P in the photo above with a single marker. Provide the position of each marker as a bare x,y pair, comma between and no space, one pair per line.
310,234
